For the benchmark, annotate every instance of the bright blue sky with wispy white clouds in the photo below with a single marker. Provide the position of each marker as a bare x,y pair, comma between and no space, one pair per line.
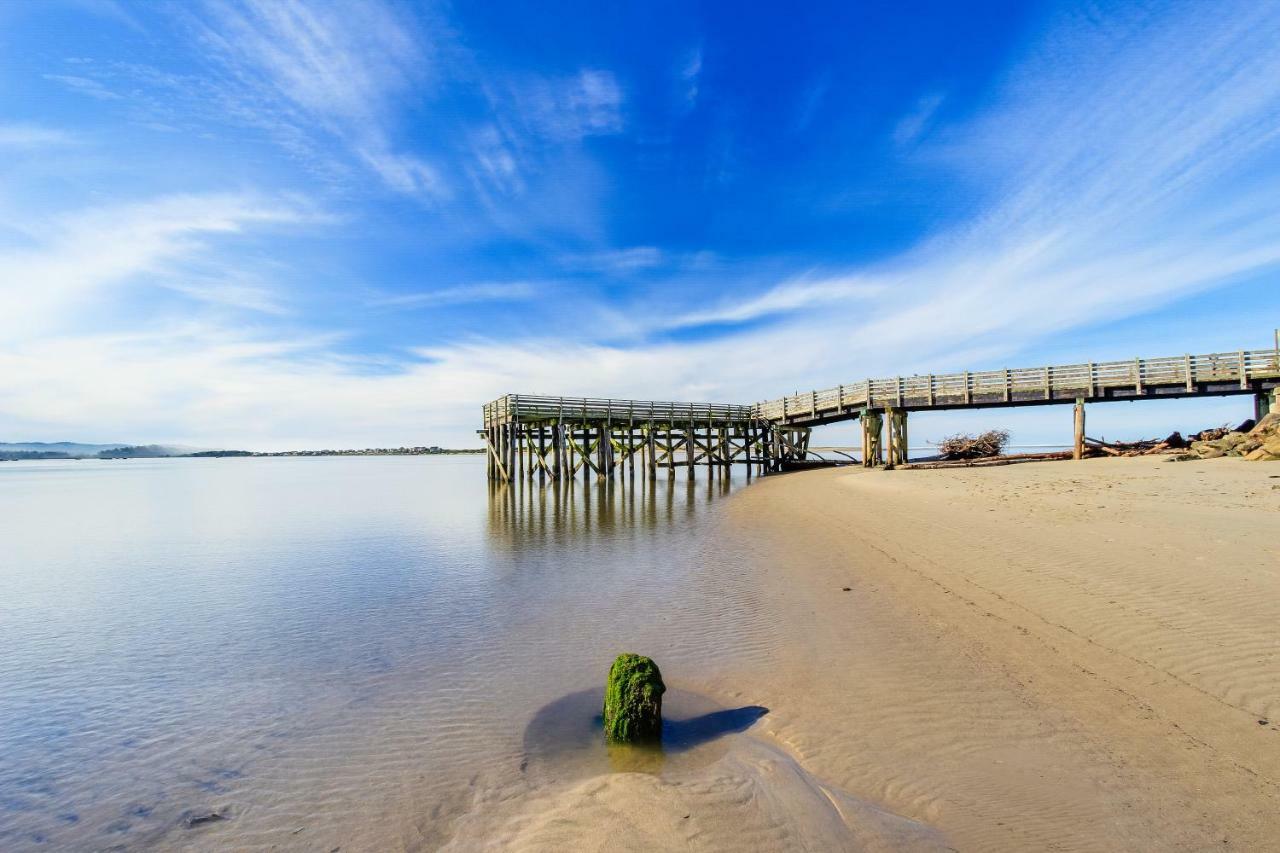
284,225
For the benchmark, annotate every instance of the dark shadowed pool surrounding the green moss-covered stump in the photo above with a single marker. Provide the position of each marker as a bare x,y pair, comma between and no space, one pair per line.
566,737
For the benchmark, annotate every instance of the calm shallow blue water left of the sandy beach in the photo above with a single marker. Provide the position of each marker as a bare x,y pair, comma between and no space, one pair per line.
333,653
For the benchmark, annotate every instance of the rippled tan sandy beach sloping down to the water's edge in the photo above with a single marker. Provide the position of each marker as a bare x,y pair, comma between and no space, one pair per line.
1052,656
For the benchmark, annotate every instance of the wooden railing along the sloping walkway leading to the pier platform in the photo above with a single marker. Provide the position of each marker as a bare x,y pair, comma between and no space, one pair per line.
1177,375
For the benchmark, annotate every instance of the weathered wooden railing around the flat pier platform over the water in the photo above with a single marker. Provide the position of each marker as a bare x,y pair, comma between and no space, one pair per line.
533,408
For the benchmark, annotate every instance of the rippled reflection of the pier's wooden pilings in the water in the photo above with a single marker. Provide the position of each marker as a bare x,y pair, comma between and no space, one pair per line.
546,512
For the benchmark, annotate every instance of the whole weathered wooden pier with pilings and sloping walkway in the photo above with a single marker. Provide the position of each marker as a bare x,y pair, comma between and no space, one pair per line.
563,437
